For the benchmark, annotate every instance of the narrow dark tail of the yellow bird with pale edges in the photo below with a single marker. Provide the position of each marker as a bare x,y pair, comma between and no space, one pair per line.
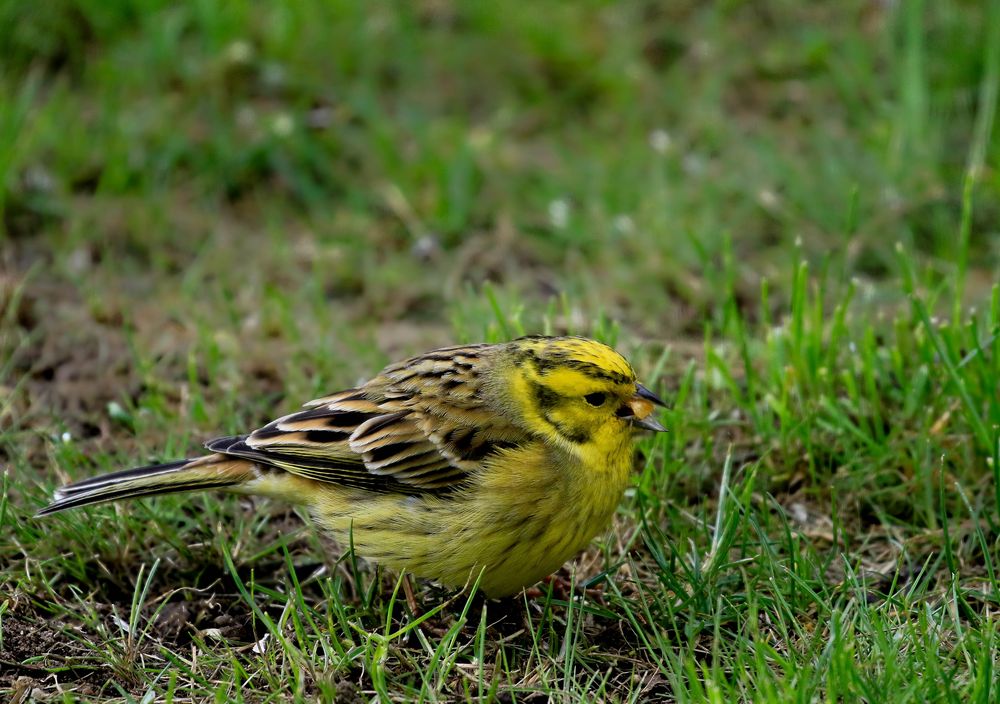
214,471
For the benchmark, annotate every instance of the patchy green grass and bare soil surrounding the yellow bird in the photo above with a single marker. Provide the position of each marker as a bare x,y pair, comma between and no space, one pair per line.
784,214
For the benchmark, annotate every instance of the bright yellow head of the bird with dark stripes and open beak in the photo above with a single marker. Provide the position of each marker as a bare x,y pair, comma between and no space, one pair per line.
578,393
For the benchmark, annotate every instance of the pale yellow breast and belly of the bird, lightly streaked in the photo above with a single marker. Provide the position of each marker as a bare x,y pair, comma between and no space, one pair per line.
523,515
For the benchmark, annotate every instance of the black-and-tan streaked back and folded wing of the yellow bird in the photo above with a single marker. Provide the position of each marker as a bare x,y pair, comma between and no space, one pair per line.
420,426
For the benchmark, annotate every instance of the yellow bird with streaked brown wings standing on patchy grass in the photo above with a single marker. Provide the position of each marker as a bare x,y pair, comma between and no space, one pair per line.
493,461
